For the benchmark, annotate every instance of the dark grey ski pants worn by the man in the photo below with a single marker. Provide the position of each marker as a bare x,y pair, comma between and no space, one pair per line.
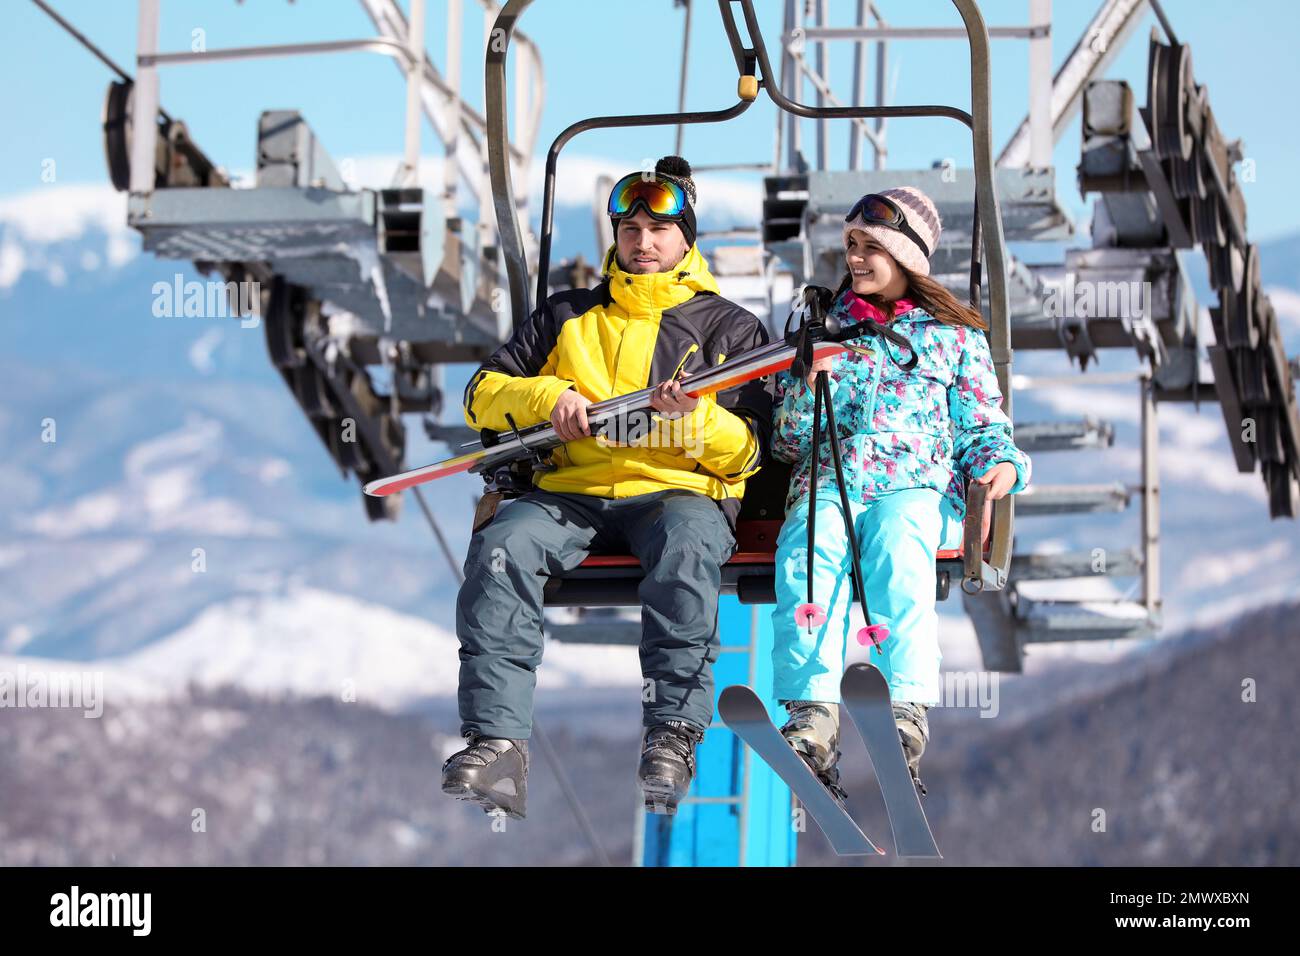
682,539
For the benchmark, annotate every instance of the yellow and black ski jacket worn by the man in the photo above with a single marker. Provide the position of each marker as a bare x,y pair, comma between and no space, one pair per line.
629,334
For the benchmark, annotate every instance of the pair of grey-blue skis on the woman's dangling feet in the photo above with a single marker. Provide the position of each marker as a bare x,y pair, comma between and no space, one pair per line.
866,698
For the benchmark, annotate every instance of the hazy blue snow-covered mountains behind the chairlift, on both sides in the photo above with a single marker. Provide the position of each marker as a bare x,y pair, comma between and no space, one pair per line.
187,524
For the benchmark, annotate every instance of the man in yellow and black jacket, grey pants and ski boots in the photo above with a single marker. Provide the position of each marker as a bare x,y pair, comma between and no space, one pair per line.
666,490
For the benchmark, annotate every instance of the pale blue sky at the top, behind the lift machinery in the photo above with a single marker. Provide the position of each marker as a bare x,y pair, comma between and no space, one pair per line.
608,58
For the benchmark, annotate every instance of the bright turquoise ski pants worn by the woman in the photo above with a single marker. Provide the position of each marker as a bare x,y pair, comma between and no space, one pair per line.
899,534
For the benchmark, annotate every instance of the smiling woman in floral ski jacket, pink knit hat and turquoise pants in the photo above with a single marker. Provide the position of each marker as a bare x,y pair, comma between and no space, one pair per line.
909,442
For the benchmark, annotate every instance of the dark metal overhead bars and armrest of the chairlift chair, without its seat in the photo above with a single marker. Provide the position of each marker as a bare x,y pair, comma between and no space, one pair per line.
989,220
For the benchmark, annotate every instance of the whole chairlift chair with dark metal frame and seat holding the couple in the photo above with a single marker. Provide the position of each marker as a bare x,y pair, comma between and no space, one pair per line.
613,579
